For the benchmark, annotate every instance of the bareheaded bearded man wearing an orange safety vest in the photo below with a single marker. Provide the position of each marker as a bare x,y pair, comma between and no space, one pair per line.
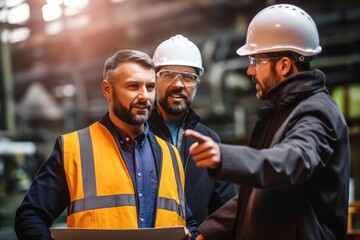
115,173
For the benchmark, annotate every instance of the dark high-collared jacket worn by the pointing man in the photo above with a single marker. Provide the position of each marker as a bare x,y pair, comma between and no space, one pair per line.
295,176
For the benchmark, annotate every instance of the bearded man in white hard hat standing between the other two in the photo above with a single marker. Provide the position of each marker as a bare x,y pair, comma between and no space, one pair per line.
178,69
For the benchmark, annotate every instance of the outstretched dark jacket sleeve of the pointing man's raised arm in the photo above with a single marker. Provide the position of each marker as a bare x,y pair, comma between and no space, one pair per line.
304,148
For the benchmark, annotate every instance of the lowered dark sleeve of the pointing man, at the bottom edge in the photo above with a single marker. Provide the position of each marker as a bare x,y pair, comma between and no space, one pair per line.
220,224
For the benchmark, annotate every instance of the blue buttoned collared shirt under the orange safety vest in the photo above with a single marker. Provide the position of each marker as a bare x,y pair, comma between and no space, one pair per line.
141,164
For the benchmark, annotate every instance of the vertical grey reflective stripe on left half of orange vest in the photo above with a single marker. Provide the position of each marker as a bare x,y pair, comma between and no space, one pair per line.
87,163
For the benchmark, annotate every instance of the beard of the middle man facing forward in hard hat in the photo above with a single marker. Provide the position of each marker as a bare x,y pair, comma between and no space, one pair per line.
175,109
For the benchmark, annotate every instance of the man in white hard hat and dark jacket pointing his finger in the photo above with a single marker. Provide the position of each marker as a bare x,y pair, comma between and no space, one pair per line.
294,175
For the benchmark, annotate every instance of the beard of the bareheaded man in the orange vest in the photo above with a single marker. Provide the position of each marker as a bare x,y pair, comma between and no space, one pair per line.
126,114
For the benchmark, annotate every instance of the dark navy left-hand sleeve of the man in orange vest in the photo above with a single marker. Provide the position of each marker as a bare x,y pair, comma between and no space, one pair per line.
45,200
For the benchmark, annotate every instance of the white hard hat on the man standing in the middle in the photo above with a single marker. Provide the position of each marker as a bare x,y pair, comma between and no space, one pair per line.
178,50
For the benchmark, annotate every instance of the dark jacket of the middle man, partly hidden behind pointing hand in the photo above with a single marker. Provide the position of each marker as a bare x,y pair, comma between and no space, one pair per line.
203,194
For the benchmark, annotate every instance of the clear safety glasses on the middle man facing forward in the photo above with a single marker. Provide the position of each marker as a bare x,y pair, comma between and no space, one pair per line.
188,79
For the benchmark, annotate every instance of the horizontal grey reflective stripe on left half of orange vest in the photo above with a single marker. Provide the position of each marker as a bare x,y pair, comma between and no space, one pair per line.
102,202
